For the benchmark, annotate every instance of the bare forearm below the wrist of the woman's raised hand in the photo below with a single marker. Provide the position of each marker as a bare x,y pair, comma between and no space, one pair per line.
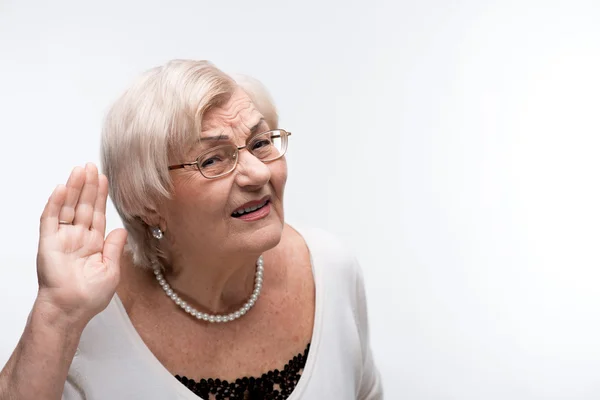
39,365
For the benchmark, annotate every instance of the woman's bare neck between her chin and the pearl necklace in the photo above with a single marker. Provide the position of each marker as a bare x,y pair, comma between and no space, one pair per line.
216,284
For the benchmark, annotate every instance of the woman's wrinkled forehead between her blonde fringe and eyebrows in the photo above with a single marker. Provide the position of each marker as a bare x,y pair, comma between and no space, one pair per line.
238,114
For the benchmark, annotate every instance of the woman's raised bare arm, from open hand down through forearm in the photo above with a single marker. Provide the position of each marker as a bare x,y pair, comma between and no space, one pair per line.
78,272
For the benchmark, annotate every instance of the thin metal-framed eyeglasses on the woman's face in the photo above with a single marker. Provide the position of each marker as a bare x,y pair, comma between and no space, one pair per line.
221,160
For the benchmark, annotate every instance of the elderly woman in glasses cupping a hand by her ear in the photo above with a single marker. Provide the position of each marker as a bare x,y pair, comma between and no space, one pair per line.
206,293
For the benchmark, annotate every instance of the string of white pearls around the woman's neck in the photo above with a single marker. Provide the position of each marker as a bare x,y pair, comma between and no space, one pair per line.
214,317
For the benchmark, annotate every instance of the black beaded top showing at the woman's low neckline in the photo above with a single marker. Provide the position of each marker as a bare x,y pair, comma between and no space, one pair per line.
273,385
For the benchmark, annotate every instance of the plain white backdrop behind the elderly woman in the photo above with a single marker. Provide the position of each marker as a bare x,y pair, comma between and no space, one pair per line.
453,144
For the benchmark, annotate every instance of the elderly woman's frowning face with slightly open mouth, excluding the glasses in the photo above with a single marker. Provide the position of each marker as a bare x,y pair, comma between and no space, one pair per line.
200,217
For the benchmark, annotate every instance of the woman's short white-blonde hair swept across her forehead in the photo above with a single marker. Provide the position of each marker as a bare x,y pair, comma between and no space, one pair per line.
154,124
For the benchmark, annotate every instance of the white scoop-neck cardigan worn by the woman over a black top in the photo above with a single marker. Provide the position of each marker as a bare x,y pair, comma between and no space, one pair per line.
112,362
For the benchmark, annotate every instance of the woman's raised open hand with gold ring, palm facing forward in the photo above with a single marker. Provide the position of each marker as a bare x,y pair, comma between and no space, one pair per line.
78,270
